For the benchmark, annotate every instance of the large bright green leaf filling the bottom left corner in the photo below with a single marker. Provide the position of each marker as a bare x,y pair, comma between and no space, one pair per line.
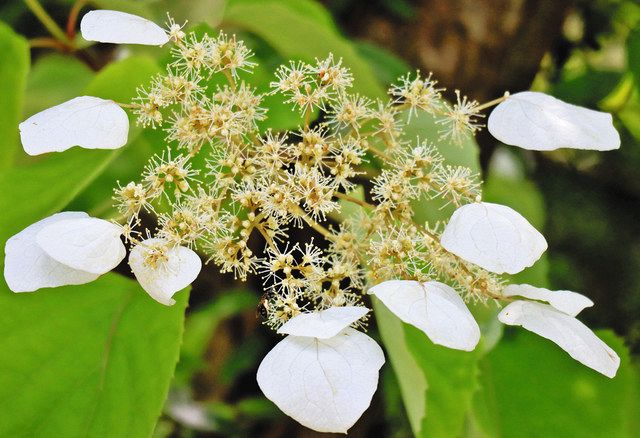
92,360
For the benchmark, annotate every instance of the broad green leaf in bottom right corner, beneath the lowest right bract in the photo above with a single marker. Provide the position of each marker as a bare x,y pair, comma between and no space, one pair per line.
531,388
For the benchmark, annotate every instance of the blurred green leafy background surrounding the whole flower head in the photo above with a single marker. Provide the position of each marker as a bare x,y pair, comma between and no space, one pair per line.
586,203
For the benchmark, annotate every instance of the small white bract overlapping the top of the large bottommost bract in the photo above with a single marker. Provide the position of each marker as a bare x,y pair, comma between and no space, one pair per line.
324,324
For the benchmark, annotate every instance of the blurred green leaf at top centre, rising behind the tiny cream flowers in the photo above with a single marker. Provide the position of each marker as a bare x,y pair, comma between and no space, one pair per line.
296,34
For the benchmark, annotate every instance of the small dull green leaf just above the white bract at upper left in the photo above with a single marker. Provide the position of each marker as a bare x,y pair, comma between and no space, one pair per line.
55,79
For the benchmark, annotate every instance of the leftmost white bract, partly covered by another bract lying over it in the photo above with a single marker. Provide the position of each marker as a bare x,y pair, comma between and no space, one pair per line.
28,268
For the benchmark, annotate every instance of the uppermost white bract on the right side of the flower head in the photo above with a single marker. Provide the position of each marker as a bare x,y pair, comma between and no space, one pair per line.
540,122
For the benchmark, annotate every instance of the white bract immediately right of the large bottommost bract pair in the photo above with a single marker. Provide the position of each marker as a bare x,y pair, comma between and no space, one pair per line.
434,308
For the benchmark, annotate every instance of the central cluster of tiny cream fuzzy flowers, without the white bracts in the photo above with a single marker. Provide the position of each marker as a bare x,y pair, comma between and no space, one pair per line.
268,183
